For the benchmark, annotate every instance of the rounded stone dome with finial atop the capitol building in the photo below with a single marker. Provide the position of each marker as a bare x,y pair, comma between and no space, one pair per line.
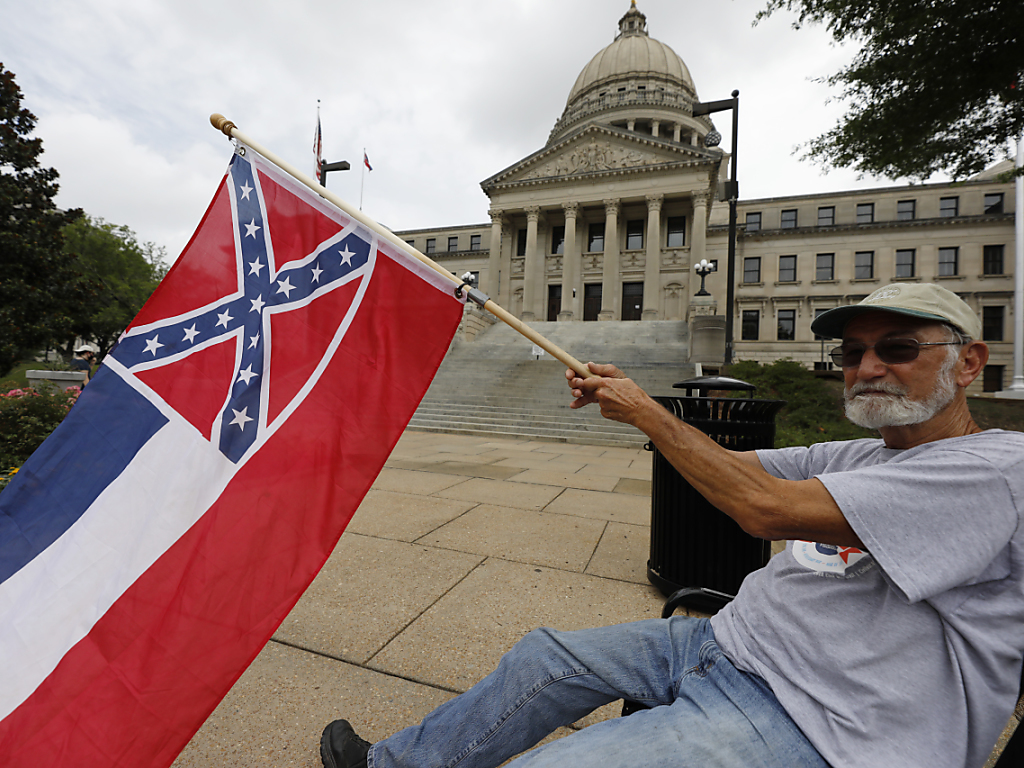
637,83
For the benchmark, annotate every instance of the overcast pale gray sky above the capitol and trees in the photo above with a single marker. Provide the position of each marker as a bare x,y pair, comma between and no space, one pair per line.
442,95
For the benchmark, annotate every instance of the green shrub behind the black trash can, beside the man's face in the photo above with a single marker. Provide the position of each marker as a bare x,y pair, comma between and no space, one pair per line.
815,407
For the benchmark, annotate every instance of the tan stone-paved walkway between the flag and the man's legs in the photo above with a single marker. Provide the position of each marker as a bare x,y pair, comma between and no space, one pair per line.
462,547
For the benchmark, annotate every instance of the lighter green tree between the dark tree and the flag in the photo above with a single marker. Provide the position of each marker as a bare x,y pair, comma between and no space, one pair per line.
118,273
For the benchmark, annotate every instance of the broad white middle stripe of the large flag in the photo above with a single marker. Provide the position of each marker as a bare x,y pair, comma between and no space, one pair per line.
54,603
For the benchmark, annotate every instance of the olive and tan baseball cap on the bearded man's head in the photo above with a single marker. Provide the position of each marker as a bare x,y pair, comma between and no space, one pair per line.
924,301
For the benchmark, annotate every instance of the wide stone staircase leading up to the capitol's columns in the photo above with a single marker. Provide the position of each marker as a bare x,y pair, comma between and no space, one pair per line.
495,387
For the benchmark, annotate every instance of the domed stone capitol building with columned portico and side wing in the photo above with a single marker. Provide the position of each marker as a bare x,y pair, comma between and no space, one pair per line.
608,221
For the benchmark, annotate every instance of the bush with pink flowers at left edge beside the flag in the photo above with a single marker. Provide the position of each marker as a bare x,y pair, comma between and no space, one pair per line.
27,418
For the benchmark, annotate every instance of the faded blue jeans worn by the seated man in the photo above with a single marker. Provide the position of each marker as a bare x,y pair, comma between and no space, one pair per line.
706,712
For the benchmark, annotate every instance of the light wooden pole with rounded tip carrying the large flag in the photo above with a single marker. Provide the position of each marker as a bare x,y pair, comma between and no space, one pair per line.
231,131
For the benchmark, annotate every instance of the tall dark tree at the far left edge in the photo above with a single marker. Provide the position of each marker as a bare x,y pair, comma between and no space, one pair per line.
39,291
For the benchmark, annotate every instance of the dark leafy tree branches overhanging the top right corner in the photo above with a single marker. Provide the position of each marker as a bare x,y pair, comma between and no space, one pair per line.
935,89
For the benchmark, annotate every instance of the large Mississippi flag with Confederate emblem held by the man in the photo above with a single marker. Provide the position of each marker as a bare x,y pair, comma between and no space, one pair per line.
151,547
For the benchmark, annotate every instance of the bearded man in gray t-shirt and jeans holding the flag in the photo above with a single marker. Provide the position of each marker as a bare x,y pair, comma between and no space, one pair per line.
889,633
